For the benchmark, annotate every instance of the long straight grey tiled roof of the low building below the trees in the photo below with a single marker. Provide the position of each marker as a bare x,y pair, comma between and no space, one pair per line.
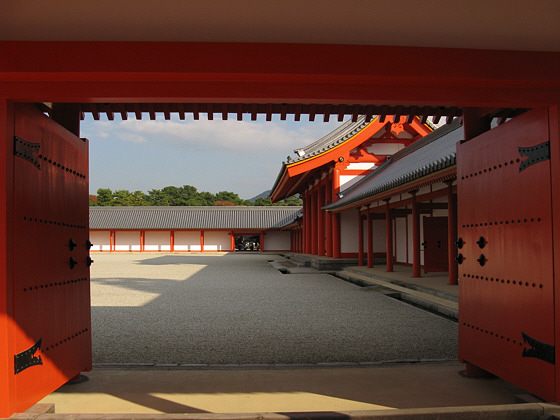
267,217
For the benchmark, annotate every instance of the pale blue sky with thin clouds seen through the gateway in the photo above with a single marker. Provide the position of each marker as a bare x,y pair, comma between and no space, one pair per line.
240,156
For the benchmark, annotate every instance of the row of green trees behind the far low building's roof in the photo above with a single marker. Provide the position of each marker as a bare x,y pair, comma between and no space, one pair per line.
187,195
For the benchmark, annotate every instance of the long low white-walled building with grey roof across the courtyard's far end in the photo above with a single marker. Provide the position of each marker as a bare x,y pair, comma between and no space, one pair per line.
191,229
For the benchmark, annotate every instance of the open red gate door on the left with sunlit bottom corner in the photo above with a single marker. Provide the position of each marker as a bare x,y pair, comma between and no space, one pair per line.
52,315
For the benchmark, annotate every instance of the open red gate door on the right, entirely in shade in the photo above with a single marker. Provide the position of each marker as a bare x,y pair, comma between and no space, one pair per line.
506,317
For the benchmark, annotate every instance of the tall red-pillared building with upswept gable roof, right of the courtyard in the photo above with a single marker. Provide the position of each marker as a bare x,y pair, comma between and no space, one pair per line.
378,189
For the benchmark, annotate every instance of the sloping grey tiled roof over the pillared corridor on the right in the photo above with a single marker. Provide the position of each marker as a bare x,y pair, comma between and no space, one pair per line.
432,153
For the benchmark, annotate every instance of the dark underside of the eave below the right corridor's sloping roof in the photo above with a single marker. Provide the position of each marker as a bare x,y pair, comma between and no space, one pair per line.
439,176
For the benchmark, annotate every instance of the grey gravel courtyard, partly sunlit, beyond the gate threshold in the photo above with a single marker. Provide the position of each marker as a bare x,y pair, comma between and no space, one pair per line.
237,309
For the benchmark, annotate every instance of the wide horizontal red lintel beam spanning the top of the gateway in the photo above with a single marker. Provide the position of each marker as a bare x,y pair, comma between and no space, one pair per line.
281,73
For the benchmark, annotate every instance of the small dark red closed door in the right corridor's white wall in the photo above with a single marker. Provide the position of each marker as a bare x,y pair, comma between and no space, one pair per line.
435,244
